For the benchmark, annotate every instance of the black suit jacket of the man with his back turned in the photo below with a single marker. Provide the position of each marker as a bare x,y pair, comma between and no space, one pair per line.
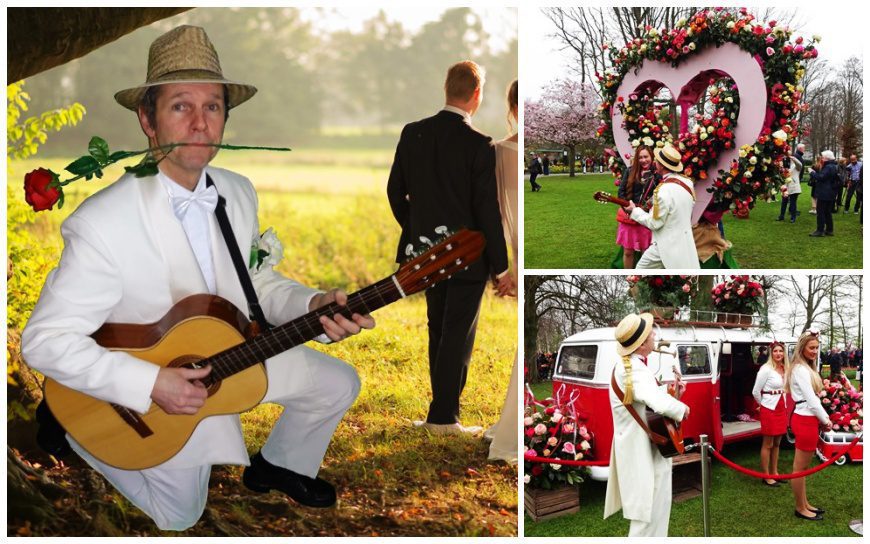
444,174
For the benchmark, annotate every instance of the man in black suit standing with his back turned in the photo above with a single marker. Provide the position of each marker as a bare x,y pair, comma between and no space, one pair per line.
443,175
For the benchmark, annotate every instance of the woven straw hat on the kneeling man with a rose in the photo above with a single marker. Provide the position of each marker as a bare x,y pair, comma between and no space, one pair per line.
184,55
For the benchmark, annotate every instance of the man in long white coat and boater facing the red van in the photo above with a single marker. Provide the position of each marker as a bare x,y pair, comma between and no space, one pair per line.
639,481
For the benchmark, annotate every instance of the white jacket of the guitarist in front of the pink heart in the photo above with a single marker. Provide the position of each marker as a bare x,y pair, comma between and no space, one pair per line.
672,231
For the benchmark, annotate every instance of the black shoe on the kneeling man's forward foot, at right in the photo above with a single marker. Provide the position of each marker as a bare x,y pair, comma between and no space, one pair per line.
262,476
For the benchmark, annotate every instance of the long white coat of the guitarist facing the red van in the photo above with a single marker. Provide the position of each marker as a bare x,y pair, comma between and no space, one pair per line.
633,457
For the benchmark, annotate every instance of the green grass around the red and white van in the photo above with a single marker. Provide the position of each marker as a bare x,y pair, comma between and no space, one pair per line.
739,505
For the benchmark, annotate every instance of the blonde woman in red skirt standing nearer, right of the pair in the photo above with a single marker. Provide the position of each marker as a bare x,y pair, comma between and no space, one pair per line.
804,385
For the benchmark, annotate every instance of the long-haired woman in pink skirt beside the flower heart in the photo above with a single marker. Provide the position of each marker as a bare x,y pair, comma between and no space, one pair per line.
637,185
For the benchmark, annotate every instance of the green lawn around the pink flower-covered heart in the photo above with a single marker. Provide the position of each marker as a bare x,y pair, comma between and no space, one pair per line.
566,228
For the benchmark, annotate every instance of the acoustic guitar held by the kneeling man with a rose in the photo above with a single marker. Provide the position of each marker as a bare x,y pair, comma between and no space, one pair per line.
209,330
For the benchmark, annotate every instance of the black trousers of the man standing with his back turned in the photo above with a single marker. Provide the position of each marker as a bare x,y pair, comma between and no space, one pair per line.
452,308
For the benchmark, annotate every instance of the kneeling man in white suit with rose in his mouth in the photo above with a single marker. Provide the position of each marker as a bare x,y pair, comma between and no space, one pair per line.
139,246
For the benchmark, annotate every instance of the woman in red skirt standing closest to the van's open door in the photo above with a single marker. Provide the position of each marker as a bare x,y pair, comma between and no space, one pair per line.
769,395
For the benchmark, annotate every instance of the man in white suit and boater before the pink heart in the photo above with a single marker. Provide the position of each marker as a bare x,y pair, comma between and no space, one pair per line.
670,220
